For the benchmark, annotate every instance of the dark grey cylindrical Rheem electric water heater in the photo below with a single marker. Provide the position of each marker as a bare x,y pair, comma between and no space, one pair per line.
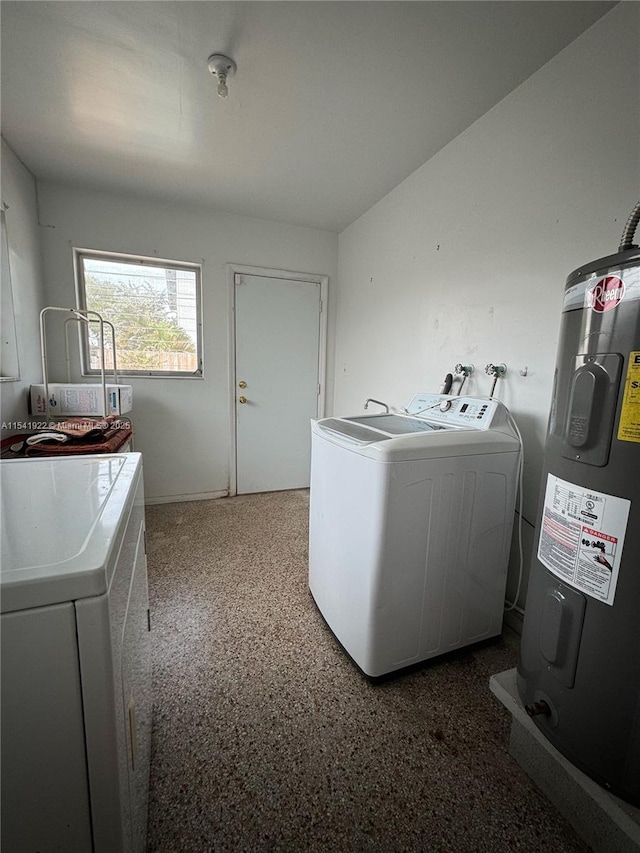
579,667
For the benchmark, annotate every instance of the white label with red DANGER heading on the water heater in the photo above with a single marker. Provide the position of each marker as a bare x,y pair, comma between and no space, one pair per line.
581,537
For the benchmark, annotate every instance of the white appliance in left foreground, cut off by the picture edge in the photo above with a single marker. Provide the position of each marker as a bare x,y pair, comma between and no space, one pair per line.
76,675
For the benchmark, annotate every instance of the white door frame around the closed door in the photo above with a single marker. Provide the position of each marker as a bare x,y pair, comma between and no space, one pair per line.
234,269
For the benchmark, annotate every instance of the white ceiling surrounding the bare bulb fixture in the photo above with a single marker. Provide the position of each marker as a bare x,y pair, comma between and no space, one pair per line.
333,103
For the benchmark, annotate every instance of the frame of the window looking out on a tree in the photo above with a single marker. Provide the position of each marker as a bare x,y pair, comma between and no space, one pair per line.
80,254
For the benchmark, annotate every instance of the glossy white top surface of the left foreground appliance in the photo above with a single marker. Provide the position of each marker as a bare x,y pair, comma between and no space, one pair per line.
60,520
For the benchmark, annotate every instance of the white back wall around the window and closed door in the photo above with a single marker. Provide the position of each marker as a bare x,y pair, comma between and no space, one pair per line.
181,425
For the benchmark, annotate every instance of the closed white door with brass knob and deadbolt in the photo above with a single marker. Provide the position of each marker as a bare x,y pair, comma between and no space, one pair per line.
277,380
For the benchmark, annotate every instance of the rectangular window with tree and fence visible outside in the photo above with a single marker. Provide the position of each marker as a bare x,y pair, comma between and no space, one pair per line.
155,310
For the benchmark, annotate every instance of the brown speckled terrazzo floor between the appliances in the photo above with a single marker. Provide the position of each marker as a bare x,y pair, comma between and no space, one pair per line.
267,738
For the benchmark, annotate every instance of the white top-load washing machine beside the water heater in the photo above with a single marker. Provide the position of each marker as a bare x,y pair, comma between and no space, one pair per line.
411,519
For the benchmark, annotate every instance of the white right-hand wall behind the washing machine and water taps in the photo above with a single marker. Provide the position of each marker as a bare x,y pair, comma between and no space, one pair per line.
465,261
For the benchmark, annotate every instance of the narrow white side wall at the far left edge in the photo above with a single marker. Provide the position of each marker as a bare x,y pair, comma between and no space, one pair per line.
19,194
